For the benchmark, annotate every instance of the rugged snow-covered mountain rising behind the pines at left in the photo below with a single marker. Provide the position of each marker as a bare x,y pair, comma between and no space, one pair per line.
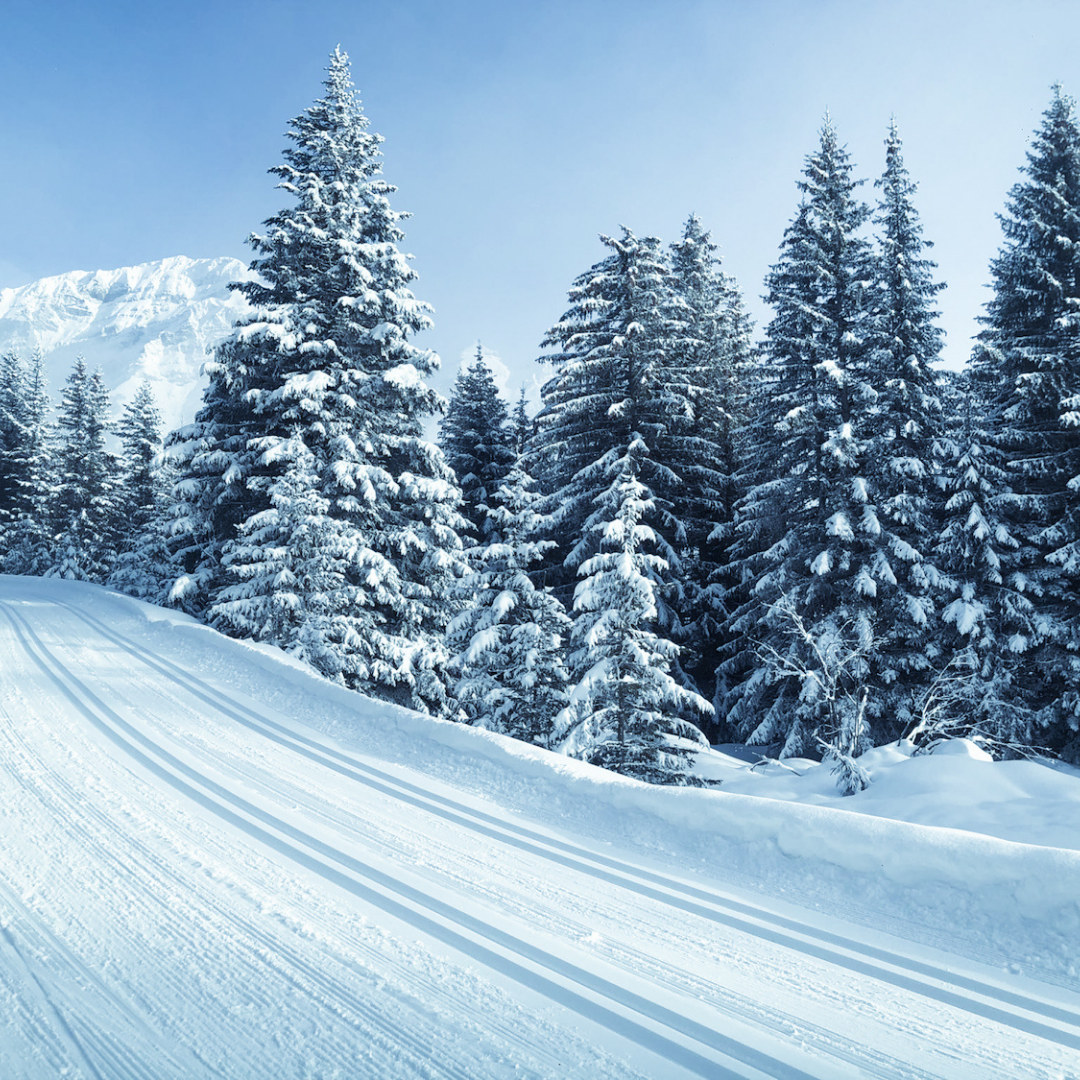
154,322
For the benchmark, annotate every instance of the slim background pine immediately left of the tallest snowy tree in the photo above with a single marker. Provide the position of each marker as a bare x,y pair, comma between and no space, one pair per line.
144,566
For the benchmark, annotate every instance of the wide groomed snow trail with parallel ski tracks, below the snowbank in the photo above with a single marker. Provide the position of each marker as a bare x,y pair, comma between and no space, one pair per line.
196,884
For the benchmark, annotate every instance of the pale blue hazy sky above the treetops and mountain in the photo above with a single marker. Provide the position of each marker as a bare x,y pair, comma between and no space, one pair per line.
518,131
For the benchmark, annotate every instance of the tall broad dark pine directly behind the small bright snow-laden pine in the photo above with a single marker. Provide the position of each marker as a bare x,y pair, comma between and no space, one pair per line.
610,383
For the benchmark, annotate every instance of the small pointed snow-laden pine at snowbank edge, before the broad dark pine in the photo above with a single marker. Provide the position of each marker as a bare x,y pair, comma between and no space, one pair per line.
627,713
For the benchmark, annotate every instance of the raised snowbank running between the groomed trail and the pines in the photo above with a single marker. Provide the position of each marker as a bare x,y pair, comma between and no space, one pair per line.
951,849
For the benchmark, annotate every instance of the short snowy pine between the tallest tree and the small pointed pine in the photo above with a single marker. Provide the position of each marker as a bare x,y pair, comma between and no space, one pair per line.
510,641
